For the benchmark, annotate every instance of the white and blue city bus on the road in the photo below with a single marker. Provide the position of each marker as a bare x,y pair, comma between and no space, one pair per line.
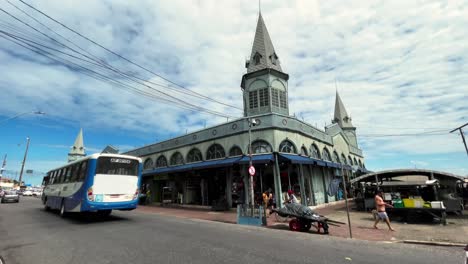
97,183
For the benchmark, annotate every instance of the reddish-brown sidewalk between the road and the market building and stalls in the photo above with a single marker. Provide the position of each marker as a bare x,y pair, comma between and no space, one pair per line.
362,224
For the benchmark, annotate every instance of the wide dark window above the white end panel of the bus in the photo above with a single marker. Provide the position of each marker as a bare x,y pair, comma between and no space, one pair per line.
117,166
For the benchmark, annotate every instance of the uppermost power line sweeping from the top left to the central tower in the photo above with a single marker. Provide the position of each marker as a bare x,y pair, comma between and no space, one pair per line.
124,58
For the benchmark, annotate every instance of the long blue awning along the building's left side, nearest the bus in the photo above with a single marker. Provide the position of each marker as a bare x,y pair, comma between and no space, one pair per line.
194,166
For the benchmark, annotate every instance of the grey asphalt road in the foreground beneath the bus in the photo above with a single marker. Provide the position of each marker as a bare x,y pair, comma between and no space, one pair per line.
28,234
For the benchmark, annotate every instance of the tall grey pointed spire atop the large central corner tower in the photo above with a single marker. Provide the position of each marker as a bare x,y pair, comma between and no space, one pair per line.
263,54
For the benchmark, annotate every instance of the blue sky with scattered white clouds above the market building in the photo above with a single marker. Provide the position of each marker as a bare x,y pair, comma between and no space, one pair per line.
399,66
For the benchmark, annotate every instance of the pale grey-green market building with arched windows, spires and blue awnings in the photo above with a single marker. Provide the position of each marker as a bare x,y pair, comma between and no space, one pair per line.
209,167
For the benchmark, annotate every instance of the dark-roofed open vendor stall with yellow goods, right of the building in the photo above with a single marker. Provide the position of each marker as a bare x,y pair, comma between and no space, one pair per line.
414,194
